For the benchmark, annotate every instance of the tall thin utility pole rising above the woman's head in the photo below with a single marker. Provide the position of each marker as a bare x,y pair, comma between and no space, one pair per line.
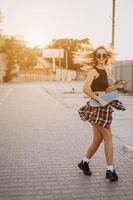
113,23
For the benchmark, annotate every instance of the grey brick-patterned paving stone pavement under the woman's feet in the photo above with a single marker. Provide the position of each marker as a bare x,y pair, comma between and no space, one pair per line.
41,142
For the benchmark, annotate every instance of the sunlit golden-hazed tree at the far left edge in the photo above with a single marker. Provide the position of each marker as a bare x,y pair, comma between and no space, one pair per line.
18,52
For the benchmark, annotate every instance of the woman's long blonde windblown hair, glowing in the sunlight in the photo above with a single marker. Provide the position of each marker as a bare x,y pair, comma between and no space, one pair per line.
86,56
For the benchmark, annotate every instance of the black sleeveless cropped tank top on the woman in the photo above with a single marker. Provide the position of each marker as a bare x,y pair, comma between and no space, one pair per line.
100,83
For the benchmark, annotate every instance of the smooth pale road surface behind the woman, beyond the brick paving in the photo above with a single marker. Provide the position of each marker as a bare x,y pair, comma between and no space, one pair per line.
73,101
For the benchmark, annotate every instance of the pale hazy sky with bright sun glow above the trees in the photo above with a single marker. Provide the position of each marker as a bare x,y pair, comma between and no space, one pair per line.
41,21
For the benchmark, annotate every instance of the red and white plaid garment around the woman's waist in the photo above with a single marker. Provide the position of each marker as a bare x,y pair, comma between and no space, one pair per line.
100,115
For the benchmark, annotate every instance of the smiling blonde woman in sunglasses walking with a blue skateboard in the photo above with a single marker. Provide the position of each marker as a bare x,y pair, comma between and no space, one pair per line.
95,84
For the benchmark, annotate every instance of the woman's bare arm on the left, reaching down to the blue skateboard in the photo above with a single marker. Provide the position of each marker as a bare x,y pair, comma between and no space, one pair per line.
87,87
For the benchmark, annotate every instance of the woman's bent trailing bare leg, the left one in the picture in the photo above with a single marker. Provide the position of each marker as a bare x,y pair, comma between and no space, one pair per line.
97,139
